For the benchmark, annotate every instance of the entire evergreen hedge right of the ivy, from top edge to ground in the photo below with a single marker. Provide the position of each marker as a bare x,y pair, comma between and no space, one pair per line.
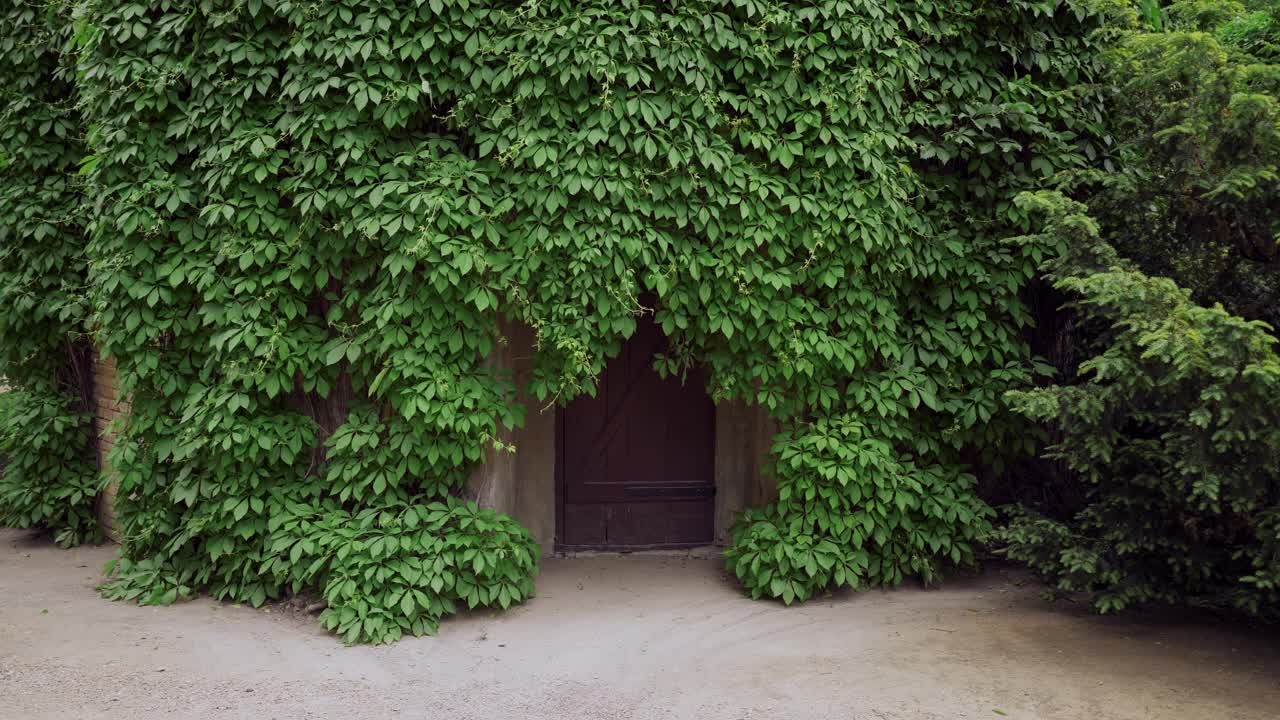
1176,268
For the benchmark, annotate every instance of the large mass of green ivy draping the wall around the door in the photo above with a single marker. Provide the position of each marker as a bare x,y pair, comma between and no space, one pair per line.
308,220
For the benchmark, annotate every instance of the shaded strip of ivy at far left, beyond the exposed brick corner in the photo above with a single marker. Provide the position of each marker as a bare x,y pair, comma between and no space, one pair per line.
51,477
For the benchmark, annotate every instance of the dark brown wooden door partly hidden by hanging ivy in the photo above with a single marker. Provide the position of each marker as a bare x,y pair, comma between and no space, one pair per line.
637,462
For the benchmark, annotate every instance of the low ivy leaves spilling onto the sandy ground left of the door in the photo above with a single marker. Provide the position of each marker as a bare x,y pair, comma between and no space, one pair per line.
385,573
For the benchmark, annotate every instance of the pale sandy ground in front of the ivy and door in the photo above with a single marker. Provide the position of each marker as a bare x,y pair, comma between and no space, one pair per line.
625,637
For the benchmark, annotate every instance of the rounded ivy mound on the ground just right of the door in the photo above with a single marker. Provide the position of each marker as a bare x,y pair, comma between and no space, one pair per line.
852,512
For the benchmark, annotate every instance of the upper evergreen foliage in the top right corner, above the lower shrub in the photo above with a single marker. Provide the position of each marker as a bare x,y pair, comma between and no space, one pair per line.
1195,112
